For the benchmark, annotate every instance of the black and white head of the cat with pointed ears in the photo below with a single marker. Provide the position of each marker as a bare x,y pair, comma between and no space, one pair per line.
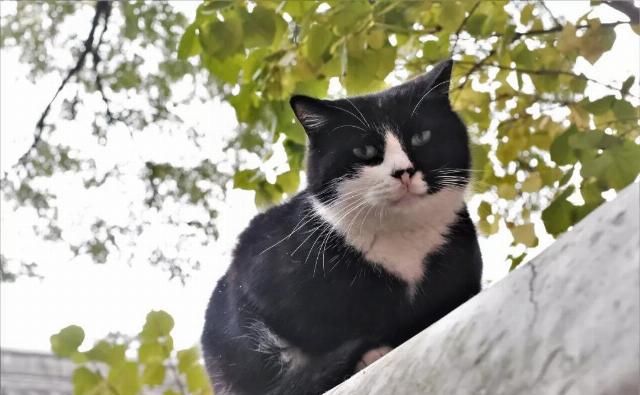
391,148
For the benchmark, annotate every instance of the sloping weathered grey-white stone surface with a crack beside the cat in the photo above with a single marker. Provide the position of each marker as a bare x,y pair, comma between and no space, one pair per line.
566,323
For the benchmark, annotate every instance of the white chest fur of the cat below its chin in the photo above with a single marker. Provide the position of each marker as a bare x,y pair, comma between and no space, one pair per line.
398,238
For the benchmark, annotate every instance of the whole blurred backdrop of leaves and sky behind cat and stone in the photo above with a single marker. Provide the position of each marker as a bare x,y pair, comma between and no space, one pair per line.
139,138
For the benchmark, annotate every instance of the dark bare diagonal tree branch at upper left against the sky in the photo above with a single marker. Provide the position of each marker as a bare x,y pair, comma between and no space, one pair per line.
102,8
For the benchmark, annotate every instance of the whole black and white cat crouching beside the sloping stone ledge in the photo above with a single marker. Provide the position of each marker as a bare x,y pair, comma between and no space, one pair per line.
377,247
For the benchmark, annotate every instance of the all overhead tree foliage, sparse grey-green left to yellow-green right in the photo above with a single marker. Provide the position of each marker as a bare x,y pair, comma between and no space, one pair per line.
547,140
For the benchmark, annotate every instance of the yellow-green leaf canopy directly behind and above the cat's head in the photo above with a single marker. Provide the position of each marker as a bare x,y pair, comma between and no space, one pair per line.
532,121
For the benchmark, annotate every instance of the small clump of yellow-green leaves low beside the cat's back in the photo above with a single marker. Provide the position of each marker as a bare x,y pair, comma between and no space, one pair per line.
119,365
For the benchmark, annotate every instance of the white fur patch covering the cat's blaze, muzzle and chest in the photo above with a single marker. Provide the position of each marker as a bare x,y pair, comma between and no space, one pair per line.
392,220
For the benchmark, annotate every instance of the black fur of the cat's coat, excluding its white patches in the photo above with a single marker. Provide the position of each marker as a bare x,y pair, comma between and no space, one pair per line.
333,315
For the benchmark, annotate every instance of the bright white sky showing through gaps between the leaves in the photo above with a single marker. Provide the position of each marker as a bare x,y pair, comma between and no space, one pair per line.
117,296
